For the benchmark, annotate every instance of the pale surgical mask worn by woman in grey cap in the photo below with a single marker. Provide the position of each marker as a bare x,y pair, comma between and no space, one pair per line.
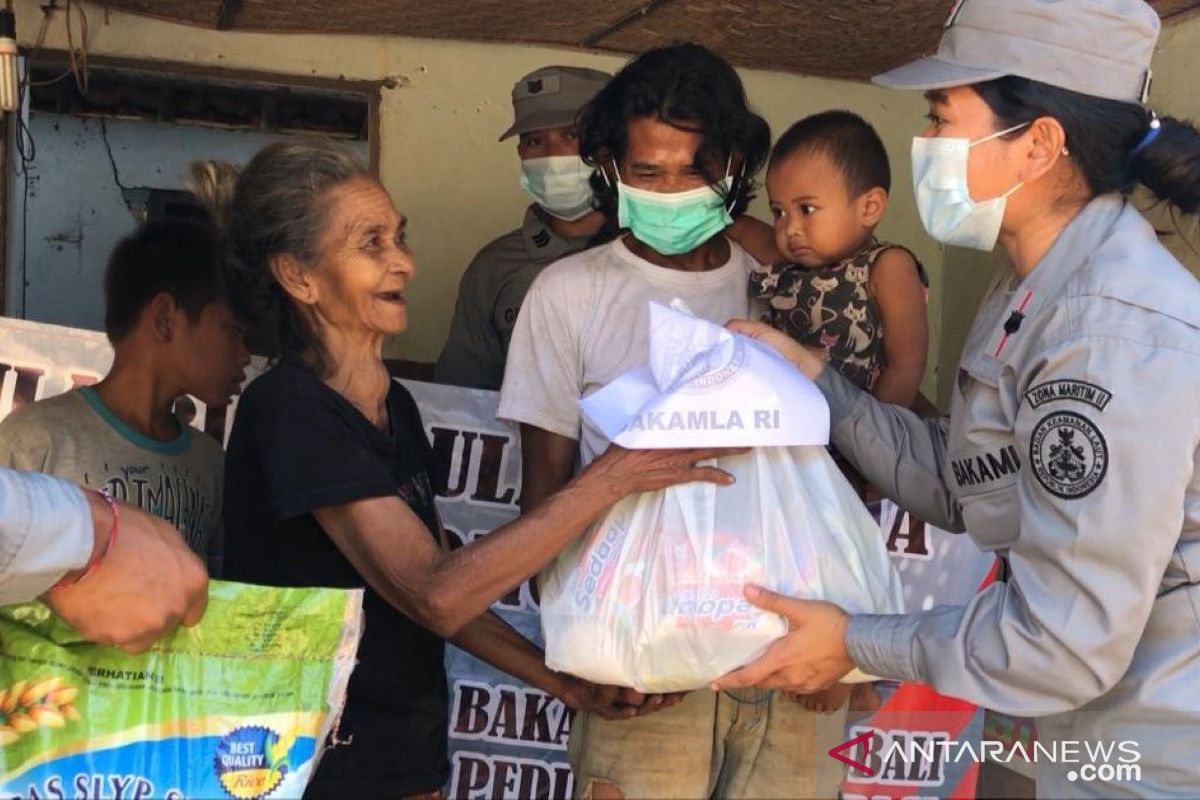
944,199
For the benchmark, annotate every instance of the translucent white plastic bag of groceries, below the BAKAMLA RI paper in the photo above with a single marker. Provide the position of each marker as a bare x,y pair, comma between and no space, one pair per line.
653,597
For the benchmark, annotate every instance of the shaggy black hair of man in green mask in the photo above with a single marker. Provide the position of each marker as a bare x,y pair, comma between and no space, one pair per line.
687,87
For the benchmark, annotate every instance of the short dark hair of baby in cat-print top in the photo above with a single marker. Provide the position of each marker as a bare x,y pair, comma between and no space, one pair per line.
849,141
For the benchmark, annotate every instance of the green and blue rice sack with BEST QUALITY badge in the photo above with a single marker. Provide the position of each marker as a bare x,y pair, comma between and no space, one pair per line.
238,707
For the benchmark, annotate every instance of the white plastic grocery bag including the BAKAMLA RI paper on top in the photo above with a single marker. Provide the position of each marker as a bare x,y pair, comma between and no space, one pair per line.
652,598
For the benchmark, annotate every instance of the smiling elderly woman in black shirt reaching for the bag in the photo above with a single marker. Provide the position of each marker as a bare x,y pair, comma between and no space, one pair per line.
328,472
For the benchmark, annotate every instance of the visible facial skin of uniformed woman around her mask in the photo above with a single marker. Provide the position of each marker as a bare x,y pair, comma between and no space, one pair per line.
993,167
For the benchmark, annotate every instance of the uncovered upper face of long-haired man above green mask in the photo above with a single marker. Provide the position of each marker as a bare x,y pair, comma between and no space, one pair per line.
661,158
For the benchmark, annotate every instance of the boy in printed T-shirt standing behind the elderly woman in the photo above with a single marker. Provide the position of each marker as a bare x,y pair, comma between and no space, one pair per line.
173,333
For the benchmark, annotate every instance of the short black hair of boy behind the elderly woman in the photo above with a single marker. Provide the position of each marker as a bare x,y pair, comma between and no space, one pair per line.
178,257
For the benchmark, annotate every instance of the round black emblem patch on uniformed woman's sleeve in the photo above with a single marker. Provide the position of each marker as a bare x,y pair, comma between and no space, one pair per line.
1069,454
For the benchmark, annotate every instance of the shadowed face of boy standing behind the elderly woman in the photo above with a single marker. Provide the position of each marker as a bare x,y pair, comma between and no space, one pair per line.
212,354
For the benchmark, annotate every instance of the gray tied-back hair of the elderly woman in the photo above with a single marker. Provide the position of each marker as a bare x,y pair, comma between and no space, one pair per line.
277,206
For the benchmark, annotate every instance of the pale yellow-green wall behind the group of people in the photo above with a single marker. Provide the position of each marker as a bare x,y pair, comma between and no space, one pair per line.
440,155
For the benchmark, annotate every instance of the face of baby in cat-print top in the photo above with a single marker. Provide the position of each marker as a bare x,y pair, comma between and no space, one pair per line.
817,221
